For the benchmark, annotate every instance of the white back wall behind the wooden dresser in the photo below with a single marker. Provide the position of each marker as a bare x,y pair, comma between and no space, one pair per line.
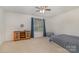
13,21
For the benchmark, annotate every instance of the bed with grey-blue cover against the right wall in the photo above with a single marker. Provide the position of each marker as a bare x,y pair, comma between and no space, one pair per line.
69,42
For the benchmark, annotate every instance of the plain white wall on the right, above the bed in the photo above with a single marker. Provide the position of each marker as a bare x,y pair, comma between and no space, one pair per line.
66,23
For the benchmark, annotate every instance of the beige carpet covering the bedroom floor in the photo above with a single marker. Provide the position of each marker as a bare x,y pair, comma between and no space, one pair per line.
36,45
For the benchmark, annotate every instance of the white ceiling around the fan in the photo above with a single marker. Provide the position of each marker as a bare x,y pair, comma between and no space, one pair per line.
31,10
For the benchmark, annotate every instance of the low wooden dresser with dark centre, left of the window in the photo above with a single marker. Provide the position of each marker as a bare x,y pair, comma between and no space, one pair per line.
21,35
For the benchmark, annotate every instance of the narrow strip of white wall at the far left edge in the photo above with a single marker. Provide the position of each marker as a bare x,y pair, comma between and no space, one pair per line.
2,26
